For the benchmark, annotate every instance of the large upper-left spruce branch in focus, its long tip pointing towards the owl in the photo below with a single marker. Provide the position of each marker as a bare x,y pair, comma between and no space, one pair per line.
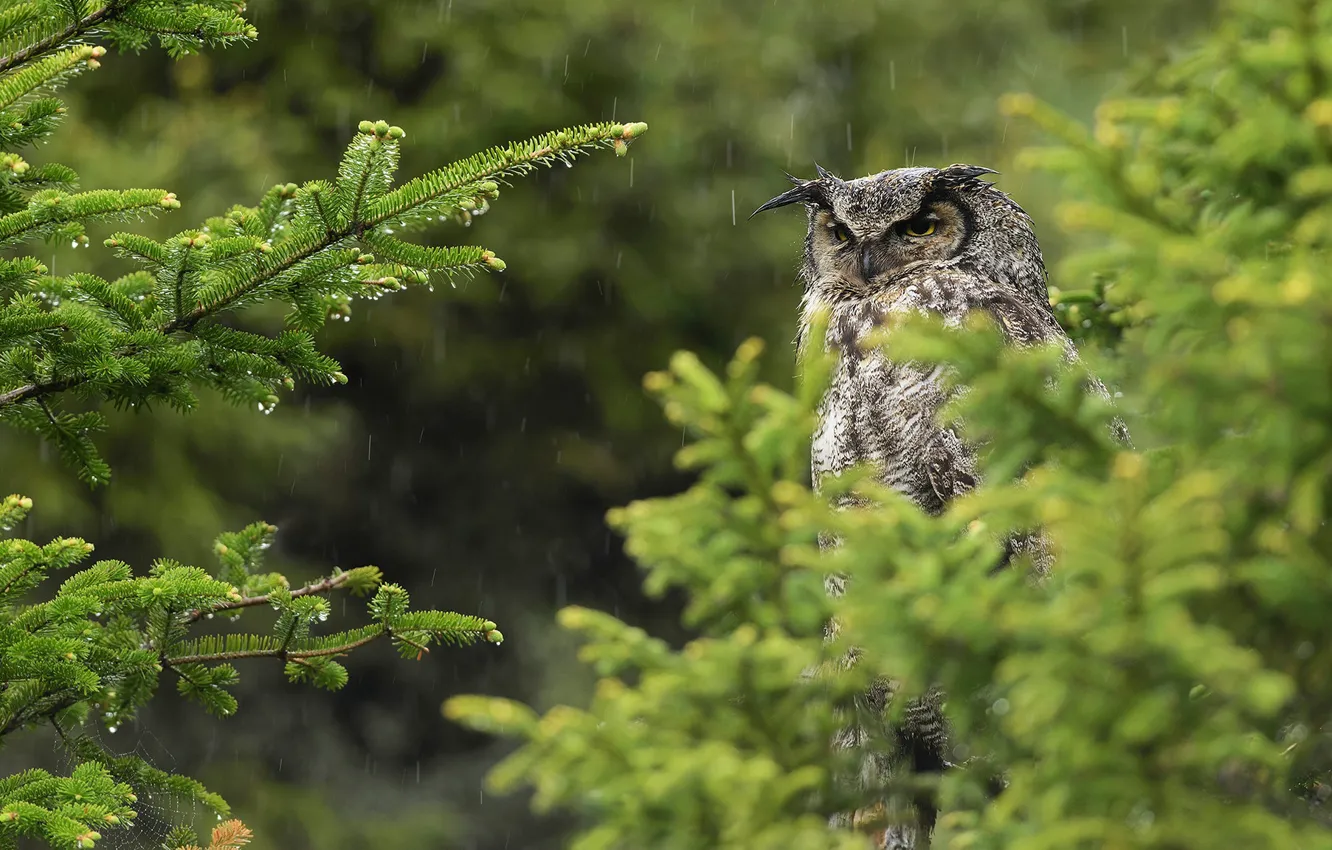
157,338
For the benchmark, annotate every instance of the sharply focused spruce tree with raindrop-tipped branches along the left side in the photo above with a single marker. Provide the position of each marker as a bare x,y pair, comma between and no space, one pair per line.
95,649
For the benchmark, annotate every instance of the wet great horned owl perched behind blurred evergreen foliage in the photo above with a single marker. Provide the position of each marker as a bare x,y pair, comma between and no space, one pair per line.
937,240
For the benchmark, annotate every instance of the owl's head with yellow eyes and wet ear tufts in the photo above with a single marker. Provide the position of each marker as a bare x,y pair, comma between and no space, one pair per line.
876,232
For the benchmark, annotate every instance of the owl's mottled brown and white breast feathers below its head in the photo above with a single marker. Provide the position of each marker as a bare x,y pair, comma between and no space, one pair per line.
885,414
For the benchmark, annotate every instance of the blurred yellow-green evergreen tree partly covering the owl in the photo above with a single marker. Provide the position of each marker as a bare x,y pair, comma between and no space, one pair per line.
1169,687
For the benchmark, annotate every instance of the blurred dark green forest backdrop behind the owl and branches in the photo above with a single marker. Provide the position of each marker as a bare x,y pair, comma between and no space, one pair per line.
487,428
